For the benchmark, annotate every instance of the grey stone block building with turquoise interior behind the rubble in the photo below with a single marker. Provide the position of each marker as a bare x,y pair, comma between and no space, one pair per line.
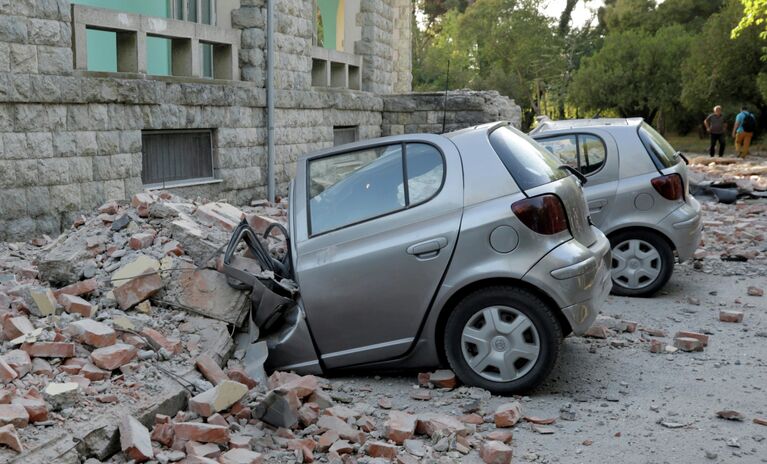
100,99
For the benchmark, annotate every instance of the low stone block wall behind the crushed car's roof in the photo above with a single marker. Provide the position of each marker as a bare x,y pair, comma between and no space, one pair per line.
424,111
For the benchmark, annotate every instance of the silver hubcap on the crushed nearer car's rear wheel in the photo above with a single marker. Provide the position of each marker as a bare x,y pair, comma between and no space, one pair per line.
500,343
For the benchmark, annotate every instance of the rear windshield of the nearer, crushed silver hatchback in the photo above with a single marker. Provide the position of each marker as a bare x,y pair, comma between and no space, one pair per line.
528,163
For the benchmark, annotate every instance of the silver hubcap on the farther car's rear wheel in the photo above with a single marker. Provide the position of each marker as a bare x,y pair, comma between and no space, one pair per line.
636,264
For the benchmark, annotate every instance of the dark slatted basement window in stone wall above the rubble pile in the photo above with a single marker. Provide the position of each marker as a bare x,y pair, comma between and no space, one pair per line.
175,157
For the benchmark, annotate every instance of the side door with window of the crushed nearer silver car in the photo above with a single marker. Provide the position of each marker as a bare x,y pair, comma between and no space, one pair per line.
375,227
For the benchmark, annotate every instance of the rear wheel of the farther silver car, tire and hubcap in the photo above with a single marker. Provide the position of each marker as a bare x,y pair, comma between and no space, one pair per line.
633,242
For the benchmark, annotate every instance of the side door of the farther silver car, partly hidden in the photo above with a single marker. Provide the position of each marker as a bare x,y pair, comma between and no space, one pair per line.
595,154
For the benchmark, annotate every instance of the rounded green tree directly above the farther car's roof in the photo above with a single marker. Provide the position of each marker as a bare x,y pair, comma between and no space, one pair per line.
635,73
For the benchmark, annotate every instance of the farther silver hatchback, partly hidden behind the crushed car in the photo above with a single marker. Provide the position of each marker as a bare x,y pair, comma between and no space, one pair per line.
637,192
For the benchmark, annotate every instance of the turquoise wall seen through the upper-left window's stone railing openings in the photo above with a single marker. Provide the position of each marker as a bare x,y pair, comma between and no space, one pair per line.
102,46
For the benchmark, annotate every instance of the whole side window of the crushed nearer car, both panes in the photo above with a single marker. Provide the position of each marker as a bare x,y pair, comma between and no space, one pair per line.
352,187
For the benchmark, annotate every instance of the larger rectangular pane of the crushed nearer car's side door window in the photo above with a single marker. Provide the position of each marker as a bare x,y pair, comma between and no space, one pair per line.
351,187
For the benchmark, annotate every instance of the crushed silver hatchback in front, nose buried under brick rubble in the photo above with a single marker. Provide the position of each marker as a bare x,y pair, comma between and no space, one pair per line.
472,249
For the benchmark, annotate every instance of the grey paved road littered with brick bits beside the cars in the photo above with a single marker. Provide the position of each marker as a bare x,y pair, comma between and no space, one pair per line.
620,395
